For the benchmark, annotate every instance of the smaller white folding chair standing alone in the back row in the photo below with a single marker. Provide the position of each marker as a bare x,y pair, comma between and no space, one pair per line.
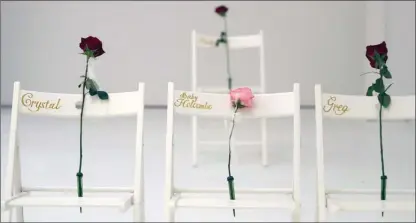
235,43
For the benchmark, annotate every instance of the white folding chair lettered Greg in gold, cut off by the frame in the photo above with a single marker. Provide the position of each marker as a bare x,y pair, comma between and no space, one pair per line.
359,108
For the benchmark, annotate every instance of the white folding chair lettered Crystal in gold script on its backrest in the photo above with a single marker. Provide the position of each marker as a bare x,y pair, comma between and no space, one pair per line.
16,196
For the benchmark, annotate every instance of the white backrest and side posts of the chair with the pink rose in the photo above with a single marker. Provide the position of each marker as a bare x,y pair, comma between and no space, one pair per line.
272,105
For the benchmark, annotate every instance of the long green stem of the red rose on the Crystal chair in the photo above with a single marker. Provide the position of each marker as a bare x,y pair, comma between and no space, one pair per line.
79,174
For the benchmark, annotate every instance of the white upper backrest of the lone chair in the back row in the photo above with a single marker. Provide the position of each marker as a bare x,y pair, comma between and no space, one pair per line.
234,42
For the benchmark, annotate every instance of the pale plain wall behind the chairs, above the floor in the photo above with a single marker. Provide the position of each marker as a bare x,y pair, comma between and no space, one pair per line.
306,42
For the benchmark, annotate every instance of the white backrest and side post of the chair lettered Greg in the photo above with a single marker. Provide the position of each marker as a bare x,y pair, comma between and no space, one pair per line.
350,107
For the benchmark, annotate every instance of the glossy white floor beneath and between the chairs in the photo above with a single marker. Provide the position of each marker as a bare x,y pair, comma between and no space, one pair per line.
49,153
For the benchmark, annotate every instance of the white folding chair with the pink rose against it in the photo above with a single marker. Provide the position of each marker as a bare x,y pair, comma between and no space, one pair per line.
275,105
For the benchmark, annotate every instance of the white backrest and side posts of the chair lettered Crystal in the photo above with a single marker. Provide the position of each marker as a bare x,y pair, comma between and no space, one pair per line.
36,103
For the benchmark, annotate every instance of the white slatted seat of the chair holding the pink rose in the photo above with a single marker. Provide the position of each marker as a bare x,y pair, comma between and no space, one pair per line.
245,200
